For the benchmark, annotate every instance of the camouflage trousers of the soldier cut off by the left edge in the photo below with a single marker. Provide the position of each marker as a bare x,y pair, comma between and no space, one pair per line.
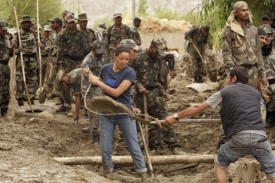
4,86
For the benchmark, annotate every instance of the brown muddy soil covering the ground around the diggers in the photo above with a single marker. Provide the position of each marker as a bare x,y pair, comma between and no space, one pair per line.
28,145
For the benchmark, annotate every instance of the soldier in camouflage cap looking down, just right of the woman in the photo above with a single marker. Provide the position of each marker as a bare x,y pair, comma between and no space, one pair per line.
149,83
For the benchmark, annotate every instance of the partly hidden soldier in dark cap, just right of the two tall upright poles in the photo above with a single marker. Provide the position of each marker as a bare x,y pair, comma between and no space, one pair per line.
56,25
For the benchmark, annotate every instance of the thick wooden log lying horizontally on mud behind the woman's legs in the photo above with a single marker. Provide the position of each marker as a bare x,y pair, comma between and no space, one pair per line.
157,160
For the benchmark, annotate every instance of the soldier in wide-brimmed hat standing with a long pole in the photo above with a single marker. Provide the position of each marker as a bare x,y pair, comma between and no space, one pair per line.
29,51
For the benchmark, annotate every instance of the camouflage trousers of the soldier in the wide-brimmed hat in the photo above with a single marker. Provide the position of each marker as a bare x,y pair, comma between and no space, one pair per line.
30,69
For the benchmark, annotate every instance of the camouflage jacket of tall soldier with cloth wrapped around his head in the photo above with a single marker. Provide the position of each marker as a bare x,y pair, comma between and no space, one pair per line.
242,50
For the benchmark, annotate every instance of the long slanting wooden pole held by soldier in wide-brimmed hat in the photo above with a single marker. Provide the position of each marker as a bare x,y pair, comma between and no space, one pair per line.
21,57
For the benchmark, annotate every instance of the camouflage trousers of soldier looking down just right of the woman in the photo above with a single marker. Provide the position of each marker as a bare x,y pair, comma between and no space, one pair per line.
156,109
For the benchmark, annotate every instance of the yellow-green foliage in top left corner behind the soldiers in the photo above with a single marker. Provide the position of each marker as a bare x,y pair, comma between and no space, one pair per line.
47,10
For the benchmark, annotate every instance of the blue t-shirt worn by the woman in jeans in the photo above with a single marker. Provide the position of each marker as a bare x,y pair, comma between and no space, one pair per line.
113,79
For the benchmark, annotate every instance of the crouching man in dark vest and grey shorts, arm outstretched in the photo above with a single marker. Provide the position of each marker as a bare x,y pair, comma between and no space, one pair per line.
242,123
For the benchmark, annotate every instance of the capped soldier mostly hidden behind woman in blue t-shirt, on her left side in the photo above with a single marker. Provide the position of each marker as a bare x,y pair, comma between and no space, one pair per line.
94,62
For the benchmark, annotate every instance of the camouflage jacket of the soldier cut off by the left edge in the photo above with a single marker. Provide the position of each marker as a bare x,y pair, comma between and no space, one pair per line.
5,49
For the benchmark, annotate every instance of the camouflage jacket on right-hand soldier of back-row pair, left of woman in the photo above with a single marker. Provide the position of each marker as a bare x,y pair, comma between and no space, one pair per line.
88,37
